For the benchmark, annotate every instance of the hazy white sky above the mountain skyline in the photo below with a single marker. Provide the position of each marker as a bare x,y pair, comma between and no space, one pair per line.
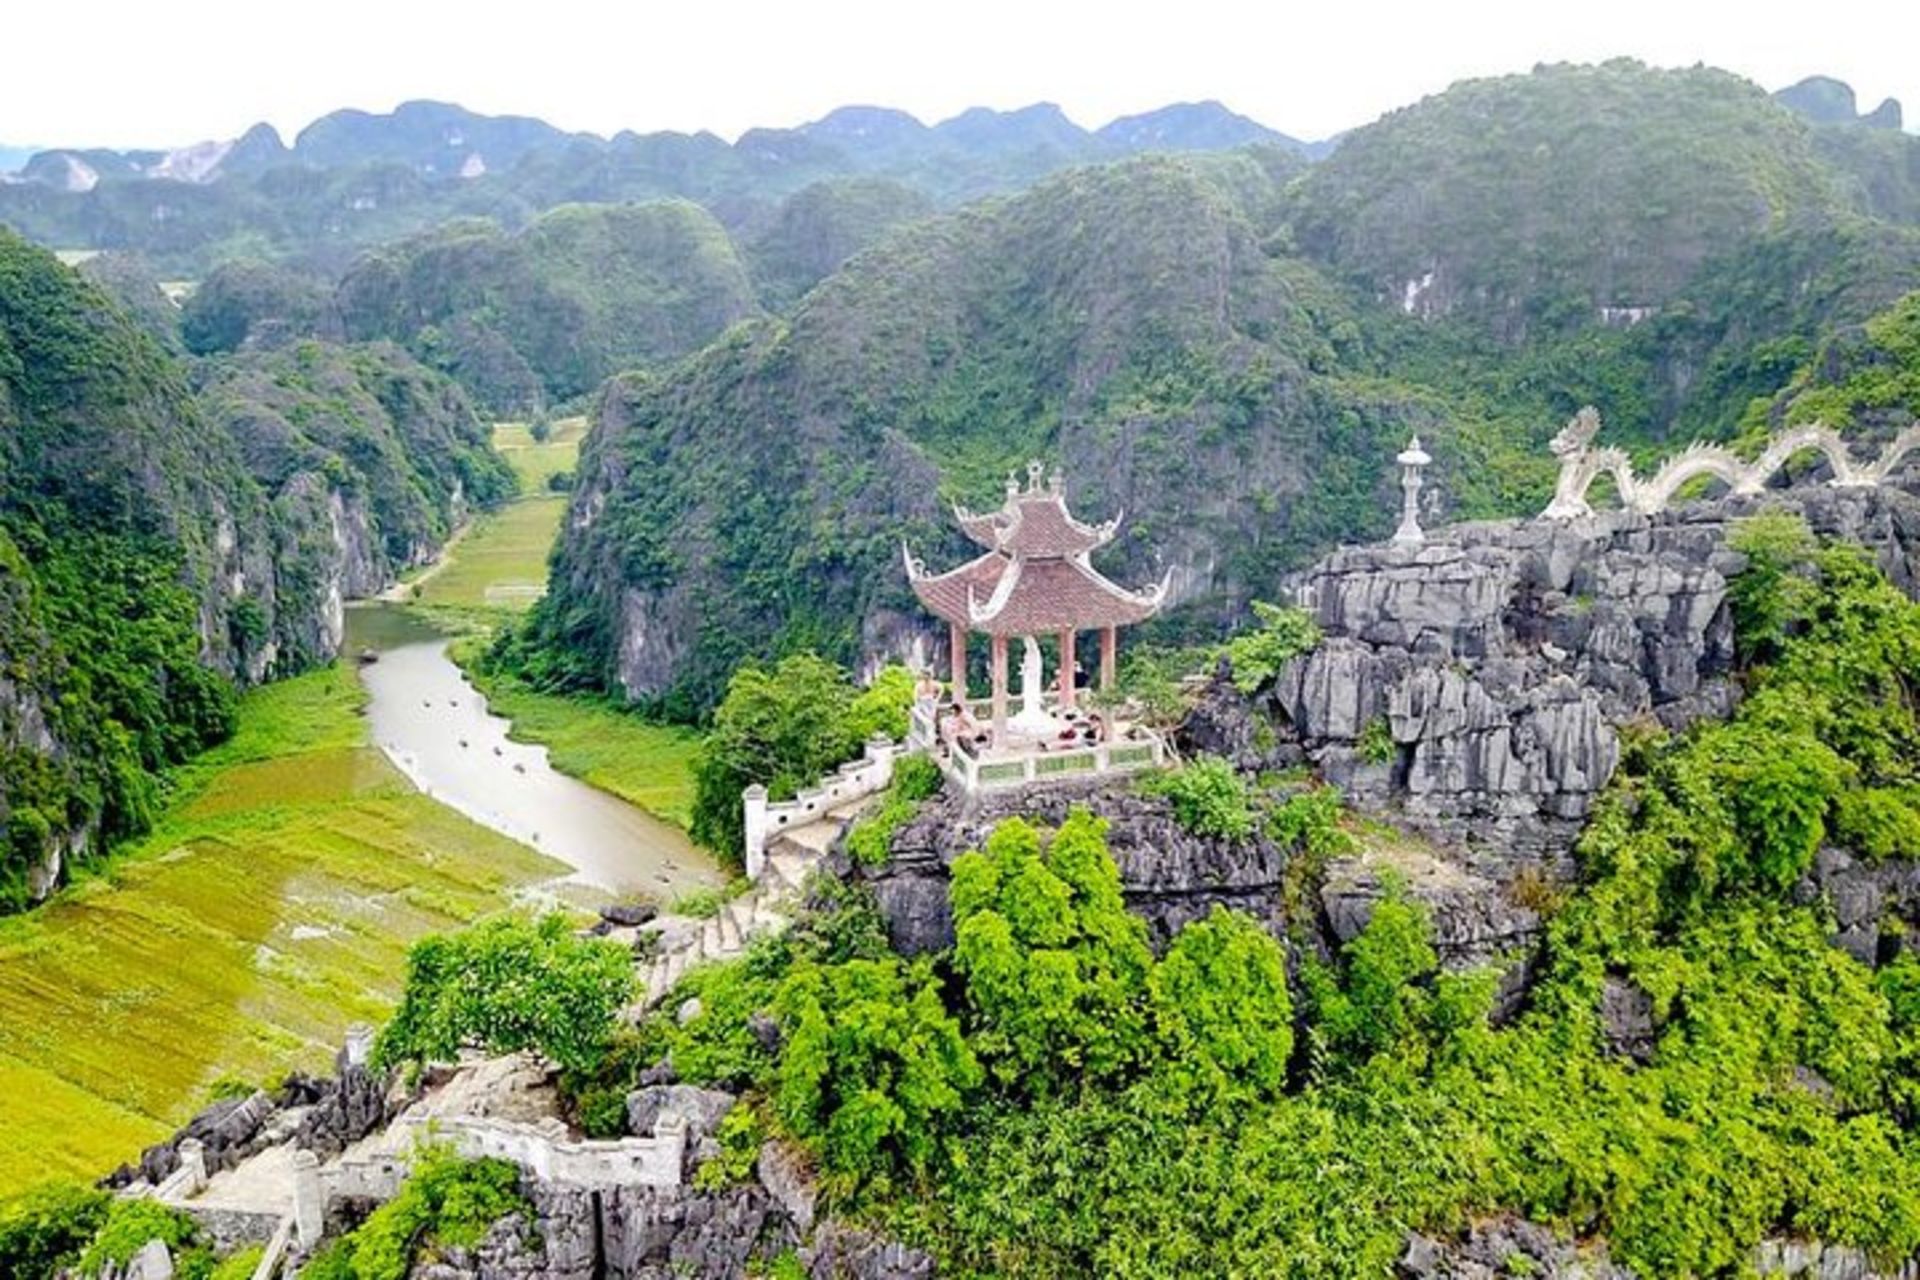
156,74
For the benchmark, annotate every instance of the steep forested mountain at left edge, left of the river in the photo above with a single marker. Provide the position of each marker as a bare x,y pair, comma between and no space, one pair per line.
162,546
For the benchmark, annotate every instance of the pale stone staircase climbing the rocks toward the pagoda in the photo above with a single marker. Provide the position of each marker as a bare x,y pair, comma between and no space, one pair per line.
763,911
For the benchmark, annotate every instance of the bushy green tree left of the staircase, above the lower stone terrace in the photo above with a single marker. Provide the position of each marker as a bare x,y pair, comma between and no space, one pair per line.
510,985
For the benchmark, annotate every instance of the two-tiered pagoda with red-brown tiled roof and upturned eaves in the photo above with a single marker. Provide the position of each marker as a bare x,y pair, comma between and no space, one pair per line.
1034,579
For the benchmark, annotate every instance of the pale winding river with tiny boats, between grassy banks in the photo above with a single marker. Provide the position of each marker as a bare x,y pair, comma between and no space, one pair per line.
437,728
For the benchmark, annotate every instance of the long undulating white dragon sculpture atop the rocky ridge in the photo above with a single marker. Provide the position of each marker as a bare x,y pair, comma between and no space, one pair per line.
1581,465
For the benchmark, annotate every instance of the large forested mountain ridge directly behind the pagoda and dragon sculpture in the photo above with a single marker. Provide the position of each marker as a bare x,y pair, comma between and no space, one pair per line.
1224,348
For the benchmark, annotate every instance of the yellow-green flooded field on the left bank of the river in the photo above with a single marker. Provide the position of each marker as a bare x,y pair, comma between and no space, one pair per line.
272,909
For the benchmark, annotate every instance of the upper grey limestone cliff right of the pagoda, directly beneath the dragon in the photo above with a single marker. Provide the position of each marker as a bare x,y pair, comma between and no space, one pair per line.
1477,688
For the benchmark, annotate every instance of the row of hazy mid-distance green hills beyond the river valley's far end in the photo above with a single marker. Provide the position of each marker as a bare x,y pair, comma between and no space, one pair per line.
550,312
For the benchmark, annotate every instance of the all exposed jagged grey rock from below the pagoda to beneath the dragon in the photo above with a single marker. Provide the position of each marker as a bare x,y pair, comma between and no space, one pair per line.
1476,694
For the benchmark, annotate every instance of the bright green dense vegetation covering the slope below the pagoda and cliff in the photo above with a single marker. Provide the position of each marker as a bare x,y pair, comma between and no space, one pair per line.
1209,1131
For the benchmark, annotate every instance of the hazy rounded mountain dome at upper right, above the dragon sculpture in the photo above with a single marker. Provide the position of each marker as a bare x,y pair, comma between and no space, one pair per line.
1535,202
